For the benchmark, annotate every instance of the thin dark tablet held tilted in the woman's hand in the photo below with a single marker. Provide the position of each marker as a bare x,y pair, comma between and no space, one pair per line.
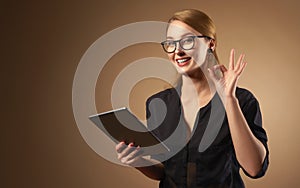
122,125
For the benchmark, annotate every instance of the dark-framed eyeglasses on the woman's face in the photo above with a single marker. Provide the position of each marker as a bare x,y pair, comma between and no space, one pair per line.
185,43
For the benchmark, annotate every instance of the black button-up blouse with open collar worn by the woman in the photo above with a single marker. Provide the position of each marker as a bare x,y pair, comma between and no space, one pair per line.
215,164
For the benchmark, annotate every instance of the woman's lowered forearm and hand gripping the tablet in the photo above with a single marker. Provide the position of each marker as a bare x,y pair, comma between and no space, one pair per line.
130,155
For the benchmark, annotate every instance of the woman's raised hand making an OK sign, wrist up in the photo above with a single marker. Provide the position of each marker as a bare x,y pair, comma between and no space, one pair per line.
226,84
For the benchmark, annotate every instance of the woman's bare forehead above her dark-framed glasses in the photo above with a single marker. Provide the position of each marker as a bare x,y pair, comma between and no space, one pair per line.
178,29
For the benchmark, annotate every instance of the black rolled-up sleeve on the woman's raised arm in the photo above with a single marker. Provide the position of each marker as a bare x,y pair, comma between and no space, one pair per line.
252,113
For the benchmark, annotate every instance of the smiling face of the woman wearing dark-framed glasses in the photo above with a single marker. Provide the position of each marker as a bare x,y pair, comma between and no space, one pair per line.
192,48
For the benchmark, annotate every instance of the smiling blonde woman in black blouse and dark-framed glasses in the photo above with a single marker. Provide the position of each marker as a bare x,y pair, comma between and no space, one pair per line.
239,142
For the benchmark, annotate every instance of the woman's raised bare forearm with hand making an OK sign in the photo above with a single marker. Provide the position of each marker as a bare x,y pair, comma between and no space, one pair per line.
250,152
